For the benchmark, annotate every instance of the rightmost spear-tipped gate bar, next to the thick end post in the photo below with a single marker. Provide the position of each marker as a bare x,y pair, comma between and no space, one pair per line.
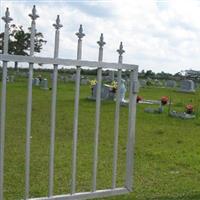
117,111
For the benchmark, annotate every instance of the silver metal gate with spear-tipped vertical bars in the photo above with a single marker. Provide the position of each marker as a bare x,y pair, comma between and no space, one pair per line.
94,193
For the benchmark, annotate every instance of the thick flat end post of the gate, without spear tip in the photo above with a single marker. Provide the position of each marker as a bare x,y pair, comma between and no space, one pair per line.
131,130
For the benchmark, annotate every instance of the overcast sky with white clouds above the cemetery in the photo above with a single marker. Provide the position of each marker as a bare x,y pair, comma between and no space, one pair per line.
161,35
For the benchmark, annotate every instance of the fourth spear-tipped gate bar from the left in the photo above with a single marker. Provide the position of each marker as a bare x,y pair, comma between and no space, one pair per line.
80,35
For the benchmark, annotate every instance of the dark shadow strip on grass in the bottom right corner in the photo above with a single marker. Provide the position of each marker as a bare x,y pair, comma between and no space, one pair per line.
183,197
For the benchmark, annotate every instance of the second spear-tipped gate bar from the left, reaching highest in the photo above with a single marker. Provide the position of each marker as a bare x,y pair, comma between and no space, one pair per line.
33,16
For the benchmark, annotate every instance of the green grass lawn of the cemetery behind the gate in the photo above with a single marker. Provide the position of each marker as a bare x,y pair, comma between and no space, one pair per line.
167,152
